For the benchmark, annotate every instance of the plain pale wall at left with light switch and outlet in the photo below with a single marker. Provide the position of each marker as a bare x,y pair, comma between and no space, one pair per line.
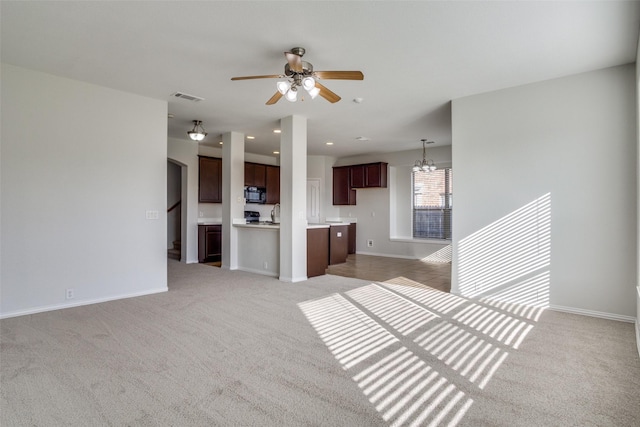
81,167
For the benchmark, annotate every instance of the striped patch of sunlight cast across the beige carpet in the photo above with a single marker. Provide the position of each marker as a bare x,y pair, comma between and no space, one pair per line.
418,354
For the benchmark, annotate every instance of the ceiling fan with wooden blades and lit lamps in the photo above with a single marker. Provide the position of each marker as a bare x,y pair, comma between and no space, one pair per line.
299,73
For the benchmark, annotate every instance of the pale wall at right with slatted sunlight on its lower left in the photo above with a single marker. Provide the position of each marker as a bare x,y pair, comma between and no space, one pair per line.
572,139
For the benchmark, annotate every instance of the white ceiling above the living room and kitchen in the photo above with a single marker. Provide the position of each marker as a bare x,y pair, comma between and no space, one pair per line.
416,57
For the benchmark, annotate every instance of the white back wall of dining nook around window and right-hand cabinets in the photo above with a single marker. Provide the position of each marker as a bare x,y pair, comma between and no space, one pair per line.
384,214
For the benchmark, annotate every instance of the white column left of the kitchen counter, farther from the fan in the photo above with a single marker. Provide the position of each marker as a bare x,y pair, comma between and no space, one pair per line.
232,195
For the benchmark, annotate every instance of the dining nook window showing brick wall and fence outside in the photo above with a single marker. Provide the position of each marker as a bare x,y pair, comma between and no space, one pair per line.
432,204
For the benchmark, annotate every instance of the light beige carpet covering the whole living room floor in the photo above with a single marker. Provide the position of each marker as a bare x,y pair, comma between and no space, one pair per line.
232,348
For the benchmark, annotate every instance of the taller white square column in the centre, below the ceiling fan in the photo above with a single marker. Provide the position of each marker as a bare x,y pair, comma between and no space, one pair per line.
293,199
